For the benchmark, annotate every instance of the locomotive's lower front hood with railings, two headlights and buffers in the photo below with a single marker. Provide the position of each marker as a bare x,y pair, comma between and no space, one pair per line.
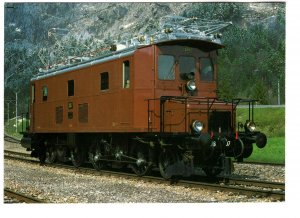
205,132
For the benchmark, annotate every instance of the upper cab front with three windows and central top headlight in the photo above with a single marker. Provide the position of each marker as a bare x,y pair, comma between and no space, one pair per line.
186,68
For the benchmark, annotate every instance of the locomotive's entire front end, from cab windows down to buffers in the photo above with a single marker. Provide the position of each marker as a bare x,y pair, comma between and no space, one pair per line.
191,114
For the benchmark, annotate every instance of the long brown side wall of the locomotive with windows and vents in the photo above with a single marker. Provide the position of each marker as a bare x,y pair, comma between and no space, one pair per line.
79,101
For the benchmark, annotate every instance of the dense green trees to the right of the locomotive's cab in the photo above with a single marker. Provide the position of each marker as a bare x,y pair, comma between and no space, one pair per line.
253,63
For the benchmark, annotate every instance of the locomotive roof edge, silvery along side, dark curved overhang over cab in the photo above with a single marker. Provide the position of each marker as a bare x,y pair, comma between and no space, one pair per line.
204,45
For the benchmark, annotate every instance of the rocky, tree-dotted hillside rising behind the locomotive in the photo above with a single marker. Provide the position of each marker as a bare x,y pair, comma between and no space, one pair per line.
42,34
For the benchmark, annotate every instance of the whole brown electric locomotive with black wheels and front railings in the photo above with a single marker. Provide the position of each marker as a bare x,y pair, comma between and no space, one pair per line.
145,107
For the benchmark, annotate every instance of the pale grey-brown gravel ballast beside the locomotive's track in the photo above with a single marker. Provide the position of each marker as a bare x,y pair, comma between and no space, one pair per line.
59,185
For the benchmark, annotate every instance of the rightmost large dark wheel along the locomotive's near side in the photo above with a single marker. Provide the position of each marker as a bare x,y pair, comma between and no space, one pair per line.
166,159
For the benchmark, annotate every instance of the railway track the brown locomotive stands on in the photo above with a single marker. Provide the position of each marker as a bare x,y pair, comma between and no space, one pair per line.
237,186
